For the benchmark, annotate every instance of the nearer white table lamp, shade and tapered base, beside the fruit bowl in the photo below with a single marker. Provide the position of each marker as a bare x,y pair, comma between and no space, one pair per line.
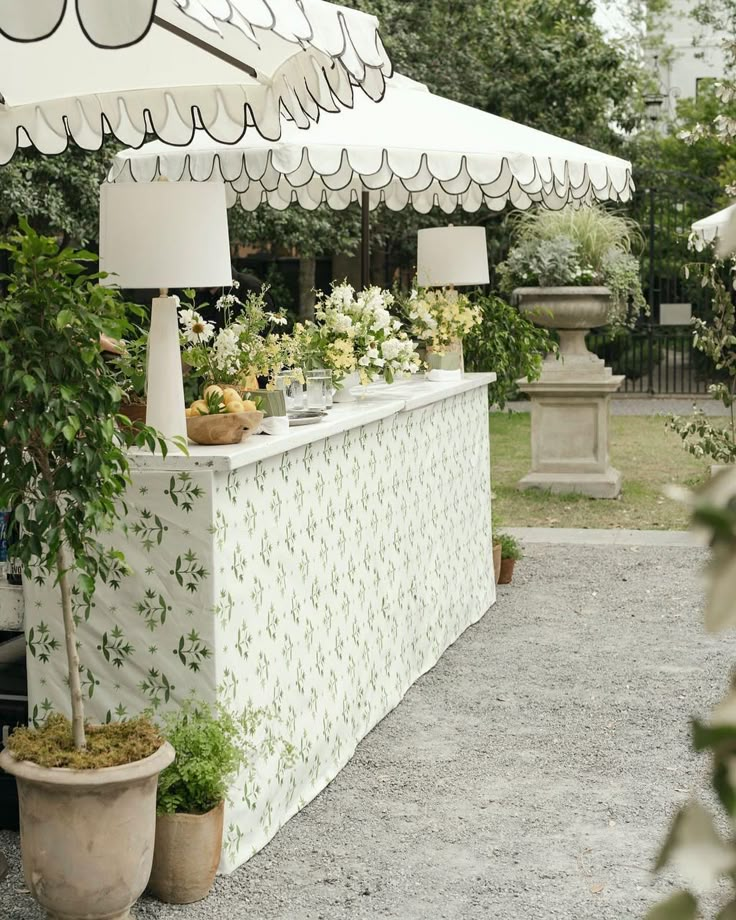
165,235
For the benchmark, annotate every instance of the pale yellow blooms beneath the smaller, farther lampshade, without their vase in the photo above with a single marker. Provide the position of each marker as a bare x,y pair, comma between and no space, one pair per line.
439,318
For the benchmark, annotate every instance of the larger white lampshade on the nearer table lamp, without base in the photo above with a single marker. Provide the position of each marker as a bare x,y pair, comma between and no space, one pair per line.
165,235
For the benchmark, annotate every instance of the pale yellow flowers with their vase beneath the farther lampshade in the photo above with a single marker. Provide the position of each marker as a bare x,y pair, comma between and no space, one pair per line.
441,320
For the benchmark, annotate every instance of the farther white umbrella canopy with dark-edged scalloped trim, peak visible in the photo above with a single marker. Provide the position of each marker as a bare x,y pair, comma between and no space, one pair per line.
414,149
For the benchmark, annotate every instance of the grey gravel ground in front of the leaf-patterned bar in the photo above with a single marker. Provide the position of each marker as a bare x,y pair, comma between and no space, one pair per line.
530,774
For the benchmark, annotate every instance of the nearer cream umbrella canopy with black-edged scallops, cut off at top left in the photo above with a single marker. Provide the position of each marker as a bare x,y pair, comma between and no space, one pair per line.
270,57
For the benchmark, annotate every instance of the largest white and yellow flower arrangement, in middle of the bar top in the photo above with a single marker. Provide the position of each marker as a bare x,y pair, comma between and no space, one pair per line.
356,332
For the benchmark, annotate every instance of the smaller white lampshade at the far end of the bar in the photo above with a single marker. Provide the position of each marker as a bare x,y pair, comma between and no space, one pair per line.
452,256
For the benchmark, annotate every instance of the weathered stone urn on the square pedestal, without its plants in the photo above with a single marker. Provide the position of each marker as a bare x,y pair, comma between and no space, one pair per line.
573,312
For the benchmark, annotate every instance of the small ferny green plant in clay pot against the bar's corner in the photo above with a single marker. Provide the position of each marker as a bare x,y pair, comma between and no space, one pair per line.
212,745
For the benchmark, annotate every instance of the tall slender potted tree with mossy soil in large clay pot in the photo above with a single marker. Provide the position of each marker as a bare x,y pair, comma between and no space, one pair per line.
87,793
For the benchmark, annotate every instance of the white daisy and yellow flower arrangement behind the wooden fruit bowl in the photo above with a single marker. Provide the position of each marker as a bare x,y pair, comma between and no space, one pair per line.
243,349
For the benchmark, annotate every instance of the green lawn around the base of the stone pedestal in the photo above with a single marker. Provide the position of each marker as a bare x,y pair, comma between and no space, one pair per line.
647,455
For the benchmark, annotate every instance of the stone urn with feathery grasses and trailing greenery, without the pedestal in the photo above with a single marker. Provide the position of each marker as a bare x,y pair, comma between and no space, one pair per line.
575,269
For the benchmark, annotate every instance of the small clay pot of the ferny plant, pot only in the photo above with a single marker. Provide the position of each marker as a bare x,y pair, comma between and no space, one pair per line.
186,856
